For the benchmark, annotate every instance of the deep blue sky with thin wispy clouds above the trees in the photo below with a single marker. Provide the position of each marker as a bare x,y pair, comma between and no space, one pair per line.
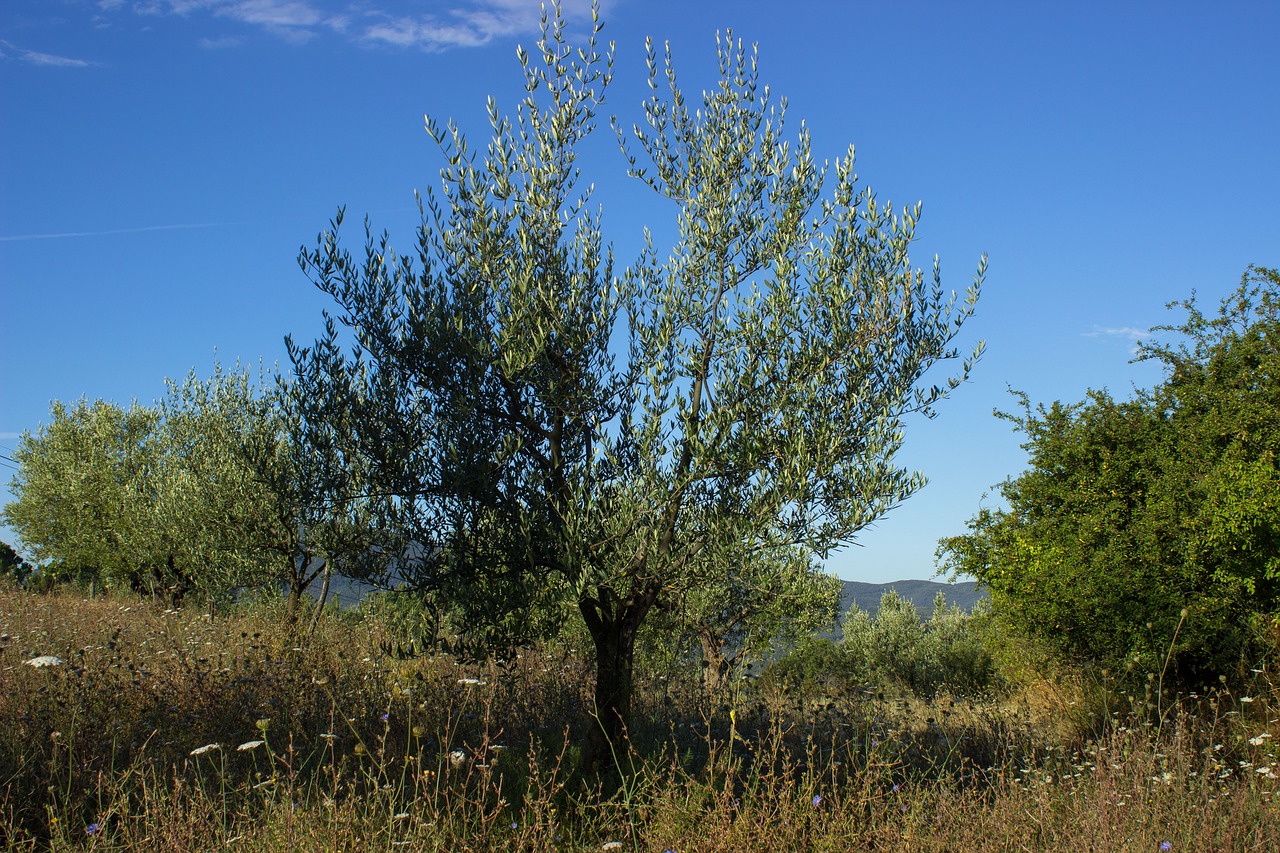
163,162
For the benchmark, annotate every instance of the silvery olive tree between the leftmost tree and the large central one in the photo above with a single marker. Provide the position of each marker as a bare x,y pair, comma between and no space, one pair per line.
249,494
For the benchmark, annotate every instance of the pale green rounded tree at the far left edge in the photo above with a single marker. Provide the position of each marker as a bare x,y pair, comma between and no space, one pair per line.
79,489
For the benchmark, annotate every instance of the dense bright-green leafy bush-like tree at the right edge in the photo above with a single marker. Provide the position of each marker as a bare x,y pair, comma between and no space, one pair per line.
1144,533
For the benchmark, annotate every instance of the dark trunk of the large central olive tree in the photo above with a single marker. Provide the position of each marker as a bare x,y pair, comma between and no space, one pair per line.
615,637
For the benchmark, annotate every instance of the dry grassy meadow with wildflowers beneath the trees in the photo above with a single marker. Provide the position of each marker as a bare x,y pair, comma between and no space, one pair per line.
173,731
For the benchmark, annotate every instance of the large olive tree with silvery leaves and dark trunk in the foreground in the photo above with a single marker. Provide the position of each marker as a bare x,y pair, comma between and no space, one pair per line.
559,439
